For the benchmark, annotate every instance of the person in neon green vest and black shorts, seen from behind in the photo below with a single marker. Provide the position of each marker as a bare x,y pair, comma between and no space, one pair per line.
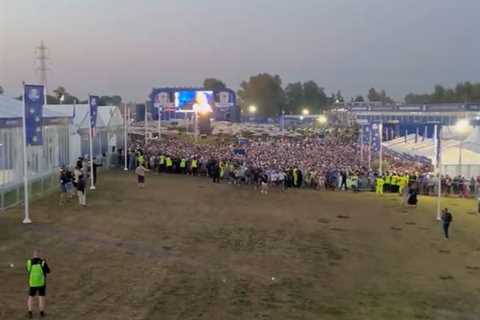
37,270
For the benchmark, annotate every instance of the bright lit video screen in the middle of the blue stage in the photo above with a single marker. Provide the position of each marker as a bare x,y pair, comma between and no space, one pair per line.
194,101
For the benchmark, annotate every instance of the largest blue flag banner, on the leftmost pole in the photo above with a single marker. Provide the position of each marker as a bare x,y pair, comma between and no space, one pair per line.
34,99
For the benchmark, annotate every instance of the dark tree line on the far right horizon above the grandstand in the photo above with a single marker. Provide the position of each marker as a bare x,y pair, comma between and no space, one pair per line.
463,92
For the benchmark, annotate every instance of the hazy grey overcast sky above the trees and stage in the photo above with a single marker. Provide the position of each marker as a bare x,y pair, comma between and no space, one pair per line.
127,47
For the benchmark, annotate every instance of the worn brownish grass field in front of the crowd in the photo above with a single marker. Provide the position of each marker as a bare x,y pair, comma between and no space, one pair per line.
184,248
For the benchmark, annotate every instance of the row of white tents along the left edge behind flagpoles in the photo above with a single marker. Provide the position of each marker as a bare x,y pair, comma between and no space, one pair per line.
65,132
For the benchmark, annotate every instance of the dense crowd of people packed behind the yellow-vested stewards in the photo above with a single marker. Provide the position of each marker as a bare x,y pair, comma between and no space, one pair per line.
327,161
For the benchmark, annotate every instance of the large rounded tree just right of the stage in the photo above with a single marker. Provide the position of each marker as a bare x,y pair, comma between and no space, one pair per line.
265,91
